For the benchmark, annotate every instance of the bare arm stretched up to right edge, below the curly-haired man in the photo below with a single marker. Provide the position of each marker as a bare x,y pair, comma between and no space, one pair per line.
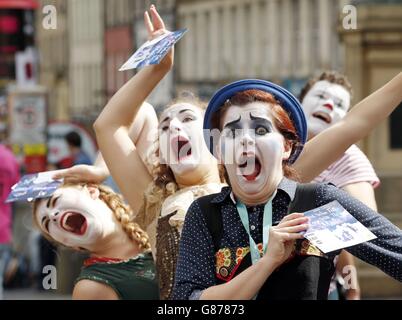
329,145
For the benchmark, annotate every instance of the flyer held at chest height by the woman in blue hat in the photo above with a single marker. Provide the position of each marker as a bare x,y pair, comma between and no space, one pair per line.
332,228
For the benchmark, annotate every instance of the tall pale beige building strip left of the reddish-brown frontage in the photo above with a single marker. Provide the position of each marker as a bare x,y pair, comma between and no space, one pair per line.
86,50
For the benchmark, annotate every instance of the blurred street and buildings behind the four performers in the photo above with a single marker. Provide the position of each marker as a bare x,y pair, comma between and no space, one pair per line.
59,62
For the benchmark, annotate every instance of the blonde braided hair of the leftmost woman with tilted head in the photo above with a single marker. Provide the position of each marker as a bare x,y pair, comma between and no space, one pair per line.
121,211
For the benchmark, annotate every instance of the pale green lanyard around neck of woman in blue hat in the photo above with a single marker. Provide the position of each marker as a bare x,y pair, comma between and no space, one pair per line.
267,223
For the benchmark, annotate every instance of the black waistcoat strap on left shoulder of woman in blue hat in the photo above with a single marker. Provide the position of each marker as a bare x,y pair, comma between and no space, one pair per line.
213,218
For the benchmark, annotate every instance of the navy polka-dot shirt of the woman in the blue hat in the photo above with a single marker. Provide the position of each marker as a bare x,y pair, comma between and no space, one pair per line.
198,266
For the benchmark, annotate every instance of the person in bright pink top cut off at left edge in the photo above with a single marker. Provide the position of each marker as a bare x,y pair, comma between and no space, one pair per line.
9,175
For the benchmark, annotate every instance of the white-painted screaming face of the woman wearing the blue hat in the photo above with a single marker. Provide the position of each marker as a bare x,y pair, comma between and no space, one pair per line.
252,150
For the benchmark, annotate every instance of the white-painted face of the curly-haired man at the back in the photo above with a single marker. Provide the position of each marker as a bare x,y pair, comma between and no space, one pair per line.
324,105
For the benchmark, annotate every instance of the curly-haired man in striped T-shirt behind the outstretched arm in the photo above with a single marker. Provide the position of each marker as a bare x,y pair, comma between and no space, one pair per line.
326,99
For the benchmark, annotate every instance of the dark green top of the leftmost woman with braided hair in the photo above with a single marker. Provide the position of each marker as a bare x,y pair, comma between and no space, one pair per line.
133,279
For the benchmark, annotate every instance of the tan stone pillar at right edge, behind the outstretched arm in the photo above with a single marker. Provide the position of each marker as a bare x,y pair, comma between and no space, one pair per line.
373,57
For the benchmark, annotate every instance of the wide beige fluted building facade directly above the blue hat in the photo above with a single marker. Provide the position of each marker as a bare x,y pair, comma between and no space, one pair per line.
273,39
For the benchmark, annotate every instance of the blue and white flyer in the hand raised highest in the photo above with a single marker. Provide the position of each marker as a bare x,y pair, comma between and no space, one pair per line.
153,51
